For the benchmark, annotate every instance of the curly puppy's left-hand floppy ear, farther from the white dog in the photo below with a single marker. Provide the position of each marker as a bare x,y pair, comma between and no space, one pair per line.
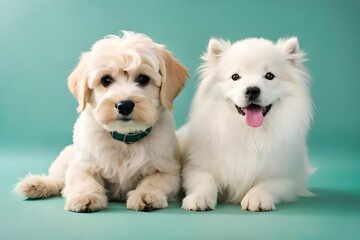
77,82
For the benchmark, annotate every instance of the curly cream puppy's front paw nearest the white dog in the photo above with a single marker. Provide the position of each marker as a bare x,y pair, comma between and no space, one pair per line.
146,201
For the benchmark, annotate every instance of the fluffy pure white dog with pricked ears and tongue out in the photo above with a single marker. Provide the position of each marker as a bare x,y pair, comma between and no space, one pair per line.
245,142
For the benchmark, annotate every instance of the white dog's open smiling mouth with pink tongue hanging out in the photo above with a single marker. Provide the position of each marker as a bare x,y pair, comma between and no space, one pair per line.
254,114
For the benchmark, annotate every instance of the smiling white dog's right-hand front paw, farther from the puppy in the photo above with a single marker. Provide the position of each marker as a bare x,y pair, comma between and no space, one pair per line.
257,201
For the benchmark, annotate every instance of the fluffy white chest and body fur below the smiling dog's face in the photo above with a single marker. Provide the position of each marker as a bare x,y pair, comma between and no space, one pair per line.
239,157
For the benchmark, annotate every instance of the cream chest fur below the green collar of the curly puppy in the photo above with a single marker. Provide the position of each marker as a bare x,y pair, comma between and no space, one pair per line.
120,166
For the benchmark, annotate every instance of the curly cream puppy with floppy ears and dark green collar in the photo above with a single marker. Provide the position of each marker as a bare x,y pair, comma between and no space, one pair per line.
124,138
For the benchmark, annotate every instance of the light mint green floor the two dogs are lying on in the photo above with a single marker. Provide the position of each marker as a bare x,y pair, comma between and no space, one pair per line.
333,214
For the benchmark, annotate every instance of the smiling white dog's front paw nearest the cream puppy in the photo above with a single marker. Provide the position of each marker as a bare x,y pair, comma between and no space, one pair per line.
196,202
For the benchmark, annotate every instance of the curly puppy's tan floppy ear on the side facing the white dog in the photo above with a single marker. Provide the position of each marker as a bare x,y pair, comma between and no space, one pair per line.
174,77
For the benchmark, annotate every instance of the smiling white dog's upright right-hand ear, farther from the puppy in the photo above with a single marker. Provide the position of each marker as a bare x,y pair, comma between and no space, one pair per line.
291,47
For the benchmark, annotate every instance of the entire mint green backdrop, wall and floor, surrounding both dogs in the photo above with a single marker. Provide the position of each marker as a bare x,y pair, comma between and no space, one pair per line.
40,42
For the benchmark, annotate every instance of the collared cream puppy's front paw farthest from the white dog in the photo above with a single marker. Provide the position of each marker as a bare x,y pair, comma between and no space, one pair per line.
85,202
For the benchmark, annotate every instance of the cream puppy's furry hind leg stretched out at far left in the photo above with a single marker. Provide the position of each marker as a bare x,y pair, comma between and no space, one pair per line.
41,186
